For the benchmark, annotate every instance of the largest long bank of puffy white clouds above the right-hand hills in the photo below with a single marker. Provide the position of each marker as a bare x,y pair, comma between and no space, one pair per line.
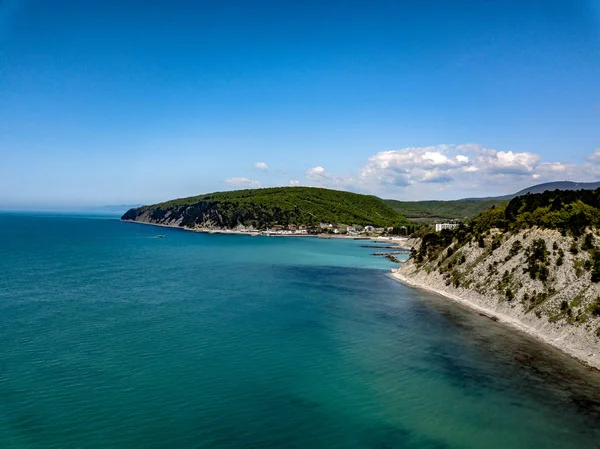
472,169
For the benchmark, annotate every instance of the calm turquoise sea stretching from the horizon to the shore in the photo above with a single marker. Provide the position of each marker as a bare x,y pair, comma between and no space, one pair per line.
111,338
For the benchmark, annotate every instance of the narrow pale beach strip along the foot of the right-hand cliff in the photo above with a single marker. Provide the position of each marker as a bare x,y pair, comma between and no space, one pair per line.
500,318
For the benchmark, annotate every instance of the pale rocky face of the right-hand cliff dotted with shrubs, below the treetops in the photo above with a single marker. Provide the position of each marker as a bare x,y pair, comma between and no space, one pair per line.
536,280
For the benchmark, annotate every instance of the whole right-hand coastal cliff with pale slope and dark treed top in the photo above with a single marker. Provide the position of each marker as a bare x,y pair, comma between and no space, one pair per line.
534,264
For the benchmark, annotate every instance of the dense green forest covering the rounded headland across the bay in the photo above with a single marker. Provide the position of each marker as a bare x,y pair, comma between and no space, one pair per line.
262,208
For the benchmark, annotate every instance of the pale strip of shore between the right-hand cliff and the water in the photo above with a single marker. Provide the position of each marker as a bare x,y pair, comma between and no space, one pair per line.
586,354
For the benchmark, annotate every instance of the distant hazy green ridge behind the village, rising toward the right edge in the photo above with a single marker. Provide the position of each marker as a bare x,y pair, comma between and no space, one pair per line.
471,207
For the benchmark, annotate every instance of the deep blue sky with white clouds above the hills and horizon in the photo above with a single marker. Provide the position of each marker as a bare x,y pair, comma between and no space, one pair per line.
112,102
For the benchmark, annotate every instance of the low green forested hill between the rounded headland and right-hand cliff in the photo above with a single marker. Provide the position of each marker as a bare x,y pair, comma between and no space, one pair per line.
457,209
